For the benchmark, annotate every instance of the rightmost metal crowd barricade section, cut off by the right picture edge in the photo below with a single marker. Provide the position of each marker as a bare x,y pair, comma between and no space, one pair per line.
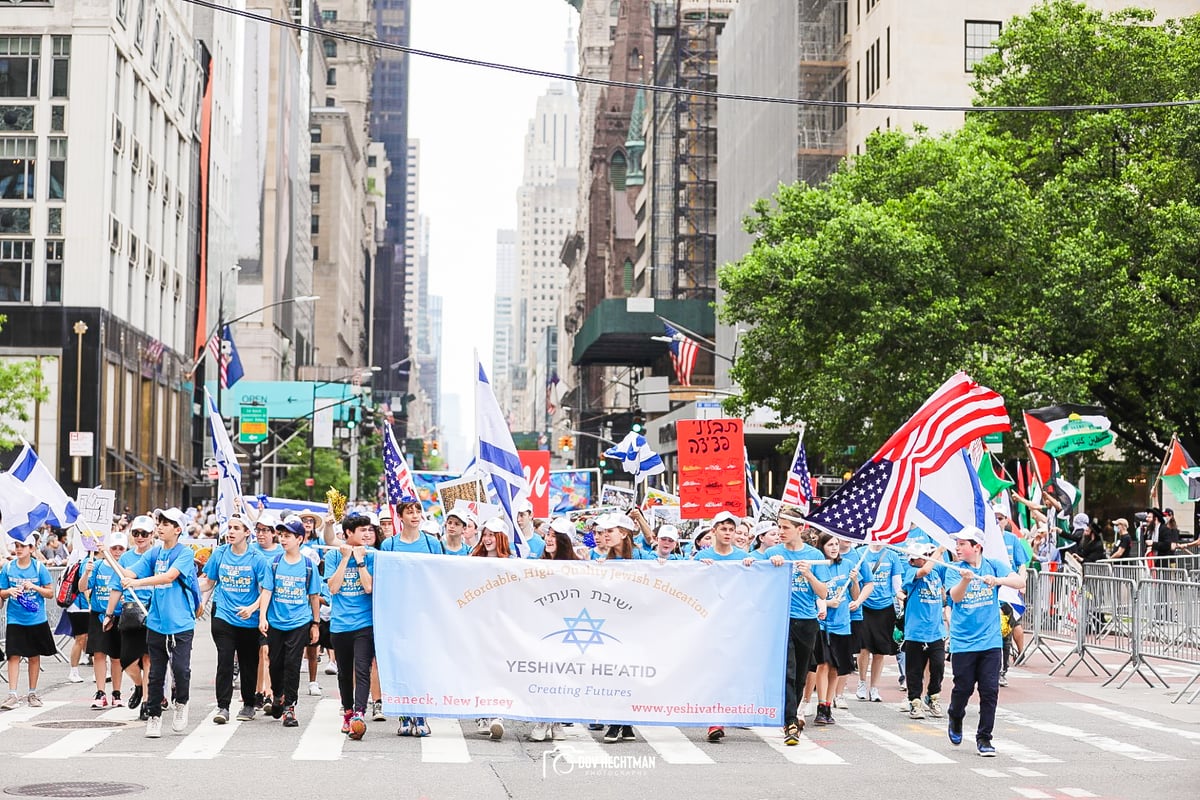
1168,624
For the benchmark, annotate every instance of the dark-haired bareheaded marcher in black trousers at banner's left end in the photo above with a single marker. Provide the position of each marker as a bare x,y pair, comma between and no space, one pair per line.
350,572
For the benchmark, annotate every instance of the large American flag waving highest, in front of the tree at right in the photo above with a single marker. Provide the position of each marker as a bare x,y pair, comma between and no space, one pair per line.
878,501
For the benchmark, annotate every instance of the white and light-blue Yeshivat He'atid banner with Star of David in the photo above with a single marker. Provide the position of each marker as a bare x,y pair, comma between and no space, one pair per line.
617,642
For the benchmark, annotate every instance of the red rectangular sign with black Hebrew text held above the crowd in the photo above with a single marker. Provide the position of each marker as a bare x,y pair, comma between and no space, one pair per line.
712,468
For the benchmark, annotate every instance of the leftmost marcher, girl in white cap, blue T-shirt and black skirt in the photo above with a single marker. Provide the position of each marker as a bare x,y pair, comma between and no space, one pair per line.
27,584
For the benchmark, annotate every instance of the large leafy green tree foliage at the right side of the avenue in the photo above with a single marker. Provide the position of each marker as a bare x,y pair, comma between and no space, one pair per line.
1053,256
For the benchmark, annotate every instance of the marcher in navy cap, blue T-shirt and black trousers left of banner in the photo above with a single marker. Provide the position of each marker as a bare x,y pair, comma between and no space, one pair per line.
290,621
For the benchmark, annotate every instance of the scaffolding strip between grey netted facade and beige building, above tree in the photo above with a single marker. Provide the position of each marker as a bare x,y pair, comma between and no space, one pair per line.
824,34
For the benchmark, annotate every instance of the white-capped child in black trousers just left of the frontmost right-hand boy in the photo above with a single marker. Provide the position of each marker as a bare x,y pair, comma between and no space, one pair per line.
923,593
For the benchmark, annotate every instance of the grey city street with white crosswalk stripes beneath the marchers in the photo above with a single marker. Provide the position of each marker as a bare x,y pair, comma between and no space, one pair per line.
1058,738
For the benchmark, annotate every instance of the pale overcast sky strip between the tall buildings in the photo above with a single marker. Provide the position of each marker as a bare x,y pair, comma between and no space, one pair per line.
471,123
